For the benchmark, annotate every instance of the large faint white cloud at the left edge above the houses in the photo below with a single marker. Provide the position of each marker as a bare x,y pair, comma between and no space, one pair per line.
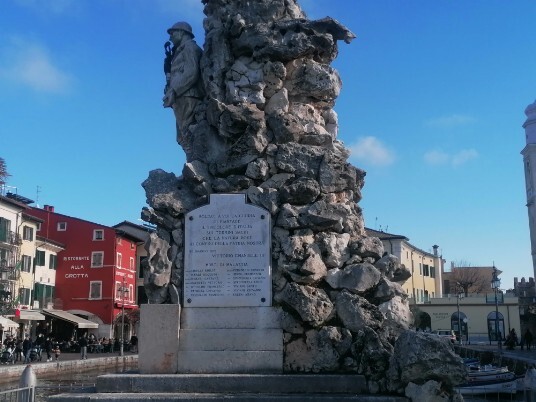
31,65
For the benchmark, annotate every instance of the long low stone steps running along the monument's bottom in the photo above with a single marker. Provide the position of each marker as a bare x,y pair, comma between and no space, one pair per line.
216,387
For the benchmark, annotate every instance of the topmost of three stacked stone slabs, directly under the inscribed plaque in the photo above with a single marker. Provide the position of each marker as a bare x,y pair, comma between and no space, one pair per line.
230,317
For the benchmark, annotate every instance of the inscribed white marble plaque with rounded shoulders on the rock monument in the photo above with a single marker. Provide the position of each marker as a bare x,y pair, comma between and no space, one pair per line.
227,254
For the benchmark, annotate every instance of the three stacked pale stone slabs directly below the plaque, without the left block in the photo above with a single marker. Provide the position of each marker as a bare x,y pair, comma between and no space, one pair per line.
229,340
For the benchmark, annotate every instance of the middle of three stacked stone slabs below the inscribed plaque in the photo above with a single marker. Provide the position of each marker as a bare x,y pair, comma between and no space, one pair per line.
231,339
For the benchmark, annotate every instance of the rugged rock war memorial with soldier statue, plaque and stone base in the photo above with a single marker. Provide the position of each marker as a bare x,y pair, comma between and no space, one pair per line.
260,270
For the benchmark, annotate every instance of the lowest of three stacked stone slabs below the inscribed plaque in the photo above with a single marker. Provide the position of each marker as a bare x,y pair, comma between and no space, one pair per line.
229,361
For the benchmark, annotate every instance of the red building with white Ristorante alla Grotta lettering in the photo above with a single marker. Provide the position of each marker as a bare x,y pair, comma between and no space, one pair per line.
96,273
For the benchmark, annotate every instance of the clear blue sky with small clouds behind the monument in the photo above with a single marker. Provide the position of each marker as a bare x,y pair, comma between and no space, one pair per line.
432,105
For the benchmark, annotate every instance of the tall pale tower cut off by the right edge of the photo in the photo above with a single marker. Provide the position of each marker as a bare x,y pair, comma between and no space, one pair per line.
529,164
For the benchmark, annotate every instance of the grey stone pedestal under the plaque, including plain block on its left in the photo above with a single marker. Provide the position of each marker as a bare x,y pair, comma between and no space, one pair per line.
205,340
